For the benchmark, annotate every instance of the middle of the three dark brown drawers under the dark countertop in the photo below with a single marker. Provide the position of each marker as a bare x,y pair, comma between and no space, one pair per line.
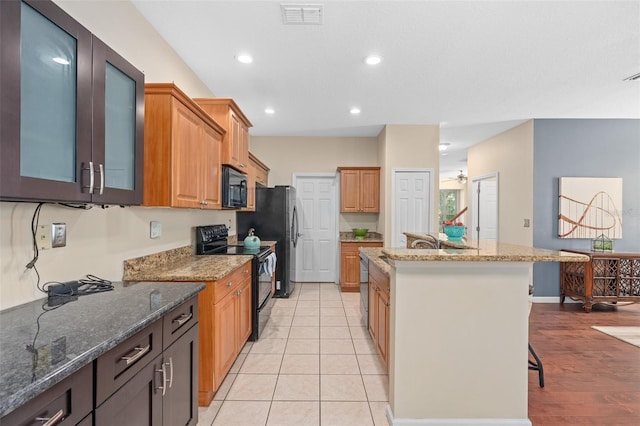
121,363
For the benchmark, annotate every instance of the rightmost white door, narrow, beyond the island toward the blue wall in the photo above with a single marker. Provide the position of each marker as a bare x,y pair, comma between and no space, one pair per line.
484,205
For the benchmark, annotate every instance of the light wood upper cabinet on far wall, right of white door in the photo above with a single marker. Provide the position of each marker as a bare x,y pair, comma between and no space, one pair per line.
359,189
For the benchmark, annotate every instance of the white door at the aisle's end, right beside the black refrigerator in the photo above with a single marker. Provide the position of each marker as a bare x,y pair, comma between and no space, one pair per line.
317,246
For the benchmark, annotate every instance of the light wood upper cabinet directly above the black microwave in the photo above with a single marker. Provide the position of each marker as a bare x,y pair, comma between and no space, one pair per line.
235,142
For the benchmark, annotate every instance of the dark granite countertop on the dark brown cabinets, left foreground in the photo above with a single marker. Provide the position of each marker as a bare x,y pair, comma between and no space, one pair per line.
72,335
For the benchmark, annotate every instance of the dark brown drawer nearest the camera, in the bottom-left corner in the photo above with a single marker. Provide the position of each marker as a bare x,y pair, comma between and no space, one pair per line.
70,400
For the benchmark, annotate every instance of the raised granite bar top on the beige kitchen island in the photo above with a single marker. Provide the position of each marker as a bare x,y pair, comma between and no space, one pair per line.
485,251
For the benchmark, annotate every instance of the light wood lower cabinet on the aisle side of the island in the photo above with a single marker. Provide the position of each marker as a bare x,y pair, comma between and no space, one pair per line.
379,295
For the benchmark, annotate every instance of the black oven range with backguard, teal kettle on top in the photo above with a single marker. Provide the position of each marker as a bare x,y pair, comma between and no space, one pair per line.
212,240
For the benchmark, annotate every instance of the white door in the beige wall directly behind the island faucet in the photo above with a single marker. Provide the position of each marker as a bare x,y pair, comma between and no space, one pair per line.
412,205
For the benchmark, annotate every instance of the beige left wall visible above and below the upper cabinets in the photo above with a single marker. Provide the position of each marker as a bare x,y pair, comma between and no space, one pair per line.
98,240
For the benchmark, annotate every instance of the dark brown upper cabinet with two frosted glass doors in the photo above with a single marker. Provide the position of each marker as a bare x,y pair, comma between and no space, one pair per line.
71,111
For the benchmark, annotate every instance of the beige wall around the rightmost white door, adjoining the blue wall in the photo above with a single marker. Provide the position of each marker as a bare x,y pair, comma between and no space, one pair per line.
510,154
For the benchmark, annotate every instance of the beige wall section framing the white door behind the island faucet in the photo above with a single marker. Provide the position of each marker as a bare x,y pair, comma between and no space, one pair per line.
405,147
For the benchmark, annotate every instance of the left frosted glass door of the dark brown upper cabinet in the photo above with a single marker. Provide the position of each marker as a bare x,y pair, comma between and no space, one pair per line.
46,102
